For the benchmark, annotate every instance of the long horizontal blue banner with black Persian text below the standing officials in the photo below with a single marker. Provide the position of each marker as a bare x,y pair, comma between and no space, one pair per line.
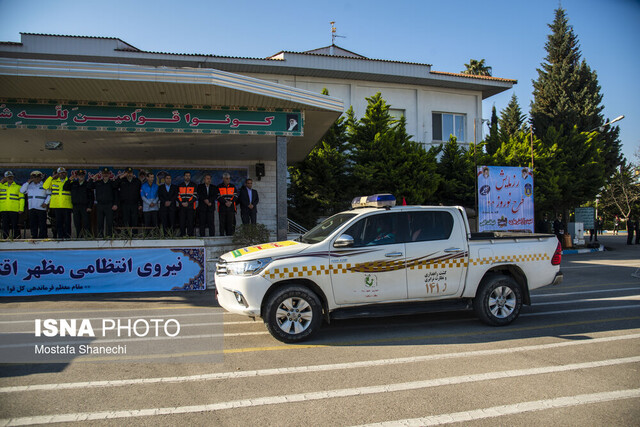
48,272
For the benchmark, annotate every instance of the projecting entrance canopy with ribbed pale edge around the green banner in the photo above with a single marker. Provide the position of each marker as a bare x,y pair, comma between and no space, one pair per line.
105,82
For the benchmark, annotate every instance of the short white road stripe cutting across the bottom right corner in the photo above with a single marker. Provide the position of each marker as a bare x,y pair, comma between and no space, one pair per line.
517,408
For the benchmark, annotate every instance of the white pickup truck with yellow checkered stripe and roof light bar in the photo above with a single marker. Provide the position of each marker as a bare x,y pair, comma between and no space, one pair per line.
384,260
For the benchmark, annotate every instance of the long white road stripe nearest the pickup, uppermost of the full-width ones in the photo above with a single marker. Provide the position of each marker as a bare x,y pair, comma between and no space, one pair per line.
311,368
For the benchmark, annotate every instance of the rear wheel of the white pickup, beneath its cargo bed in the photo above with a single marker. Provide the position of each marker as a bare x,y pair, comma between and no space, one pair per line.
498,301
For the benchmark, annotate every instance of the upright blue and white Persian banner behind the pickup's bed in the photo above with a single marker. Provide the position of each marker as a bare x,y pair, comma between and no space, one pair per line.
505,199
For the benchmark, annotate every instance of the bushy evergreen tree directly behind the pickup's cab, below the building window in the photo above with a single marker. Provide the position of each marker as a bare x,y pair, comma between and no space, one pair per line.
386,160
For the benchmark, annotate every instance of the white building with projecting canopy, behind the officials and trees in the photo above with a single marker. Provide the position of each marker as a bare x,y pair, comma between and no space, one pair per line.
109,72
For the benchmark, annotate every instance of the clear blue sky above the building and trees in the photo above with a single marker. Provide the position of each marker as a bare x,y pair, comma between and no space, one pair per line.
509,34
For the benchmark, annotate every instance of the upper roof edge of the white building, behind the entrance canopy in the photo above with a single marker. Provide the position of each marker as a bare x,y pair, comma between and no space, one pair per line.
314,63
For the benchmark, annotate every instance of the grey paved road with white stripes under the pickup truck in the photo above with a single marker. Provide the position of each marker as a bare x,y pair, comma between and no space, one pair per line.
572,358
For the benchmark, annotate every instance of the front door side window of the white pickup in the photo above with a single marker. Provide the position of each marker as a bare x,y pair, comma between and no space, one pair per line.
376,230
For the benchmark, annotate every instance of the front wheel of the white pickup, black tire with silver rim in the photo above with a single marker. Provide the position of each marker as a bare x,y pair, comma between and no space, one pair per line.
293,314
